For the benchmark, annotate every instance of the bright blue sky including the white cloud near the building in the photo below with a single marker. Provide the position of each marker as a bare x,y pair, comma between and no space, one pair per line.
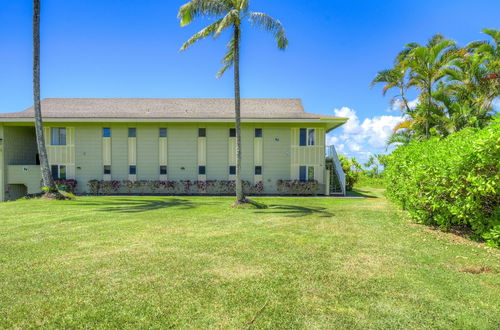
129,48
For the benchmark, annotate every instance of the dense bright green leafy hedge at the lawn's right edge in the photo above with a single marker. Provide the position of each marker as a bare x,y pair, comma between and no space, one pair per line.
451,181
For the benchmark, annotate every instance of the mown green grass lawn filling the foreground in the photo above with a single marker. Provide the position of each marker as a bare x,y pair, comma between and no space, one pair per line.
129,262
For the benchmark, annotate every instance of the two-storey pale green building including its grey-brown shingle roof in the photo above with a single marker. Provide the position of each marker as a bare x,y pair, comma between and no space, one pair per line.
161,142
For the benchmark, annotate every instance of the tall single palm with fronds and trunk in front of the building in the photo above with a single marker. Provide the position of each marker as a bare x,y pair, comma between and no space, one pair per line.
230,14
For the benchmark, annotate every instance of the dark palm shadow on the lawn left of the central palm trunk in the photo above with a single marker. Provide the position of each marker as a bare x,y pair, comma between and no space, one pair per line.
140,205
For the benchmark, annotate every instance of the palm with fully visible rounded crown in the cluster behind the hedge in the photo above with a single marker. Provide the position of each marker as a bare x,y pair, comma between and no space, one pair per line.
427,66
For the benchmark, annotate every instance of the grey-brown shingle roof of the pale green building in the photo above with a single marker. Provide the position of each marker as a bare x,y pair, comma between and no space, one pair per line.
168,108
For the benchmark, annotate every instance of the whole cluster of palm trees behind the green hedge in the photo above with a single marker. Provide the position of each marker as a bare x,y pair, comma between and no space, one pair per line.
456,86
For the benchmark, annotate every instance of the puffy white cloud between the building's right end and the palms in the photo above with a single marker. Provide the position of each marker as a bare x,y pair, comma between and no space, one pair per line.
360,139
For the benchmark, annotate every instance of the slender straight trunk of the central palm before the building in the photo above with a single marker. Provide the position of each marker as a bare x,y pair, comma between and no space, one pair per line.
240,197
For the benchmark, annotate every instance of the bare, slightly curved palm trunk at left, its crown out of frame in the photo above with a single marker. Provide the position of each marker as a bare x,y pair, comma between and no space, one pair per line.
40,140
